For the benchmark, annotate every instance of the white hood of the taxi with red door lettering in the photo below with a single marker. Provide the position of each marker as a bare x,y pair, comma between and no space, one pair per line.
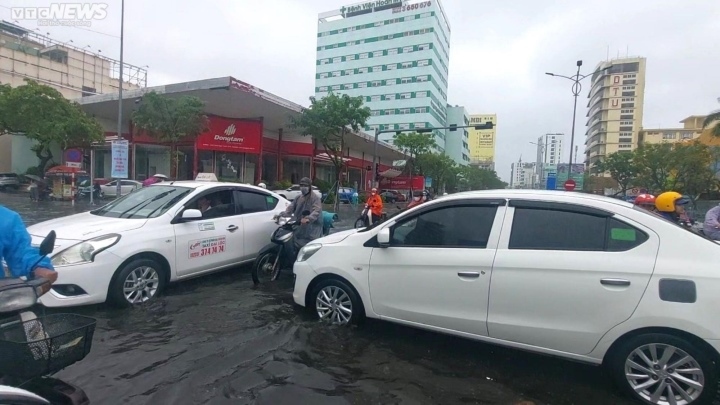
80,227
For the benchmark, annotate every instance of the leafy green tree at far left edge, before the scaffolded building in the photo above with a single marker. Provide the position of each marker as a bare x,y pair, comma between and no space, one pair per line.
42,114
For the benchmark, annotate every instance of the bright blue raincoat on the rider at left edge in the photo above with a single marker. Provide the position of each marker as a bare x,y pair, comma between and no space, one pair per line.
15,246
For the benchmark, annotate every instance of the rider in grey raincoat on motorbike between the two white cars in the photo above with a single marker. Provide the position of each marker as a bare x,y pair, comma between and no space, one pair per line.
311,226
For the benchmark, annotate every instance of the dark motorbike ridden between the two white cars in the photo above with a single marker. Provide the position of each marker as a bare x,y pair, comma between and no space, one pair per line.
280,252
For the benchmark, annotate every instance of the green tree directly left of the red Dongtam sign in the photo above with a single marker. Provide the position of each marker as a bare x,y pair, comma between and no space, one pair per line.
171,120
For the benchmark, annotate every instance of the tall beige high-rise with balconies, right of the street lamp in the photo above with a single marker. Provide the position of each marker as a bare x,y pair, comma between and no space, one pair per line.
615,108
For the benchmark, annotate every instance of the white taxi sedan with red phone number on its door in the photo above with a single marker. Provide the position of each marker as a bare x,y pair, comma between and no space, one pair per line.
127,251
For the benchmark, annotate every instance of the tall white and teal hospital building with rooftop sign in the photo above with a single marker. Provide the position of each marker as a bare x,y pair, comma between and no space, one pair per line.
394,54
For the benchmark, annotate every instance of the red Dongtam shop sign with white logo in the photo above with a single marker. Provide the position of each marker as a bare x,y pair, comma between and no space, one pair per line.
231,135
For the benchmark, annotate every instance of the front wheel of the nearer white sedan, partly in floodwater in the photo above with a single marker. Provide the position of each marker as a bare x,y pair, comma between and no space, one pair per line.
337,303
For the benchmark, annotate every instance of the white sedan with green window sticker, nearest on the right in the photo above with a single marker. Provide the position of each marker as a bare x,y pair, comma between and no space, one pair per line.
579,276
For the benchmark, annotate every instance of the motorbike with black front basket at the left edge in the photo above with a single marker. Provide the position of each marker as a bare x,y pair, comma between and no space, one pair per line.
33,348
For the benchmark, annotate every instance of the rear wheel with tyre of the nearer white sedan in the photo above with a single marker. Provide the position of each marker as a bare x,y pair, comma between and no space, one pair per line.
664,369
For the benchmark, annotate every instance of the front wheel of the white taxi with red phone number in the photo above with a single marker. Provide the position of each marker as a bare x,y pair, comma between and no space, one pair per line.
136,283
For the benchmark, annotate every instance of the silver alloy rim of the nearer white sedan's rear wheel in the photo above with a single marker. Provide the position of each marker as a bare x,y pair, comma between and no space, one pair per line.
664,374
